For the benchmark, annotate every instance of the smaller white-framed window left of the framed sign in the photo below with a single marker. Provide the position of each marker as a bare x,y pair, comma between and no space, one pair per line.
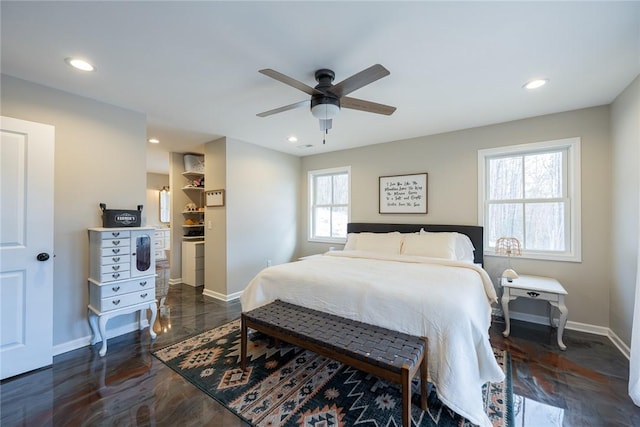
329,204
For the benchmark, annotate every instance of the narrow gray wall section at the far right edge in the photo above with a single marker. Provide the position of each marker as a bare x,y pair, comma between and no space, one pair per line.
625,131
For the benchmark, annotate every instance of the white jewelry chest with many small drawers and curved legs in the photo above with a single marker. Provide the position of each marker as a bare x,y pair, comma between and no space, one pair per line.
121,277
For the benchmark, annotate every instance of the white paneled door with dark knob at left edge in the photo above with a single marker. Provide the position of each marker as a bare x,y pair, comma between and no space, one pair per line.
26,246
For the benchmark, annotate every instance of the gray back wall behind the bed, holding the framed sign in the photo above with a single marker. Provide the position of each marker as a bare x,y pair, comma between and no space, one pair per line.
451,161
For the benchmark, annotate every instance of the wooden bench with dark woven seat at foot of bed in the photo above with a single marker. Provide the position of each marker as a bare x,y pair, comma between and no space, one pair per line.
387,354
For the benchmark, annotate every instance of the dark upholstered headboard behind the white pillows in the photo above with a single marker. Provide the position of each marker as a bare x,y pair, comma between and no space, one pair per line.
474,232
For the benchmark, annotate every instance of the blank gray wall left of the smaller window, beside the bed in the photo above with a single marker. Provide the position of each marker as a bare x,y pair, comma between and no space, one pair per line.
262,213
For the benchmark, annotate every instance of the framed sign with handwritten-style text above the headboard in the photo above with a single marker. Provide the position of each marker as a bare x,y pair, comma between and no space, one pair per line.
403,194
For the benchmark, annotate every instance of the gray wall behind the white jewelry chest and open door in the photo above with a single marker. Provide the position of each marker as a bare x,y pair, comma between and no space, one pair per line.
100,156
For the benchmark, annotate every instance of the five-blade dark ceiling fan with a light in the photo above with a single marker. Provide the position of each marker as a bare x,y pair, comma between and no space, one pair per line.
327,98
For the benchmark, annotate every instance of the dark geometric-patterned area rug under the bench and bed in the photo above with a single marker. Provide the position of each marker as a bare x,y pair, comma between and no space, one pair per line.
288,386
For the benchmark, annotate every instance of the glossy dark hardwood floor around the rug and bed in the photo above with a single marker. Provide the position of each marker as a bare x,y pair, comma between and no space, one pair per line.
128,386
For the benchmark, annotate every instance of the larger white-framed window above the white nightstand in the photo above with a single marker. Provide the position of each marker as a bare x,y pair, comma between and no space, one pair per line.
532,192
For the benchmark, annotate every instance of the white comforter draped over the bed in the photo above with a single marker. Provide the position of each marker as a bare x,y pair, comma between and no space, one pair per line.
447,301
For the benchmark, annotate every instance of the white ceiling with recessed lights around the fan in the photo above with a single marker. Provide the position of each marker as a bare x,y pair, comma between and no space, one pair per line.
192,67
